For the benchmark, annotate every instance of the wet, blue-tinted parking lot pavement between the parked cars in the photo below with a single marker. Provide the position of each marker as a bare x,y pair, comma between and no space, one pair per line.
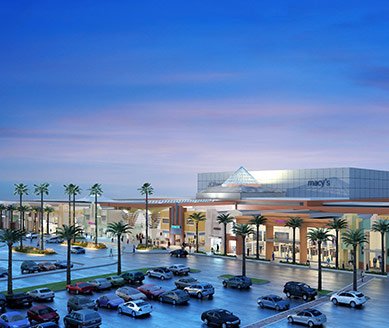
242,303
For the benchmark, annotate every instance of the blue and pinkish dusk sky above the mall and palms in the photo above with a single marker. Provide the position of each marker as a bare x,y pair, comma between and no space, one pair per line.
126,92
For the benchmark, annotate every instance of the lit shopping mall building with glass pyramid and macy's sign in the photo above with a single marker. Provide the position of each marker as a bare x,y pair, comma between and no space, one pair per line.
361,196
